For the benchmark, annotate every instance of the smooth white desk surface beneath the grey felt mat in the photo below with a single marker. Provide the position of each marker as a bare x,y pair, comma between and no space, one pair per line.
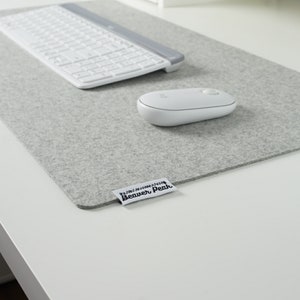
231,236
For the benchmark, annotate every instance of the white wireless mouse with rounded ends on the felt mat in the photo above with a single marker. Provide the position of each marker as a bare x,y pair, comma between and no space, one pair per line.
182,106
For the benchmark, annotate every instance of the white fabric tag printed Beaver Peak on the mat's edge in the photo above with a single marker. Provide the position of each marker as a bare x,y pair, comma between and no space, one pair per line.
144,190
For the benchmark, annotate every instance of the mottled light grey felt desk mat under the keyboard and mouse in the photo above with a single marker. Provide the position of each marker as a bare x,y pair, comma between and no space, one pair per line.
92,142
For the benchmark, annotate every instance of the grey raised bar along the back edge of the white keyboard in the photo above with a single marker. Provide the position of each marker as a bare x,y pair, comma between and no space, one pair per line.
173,56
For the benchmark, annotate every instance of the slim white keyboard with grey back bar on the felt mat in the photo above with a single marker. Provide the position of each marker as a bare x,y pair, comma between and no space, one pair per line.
84,48
